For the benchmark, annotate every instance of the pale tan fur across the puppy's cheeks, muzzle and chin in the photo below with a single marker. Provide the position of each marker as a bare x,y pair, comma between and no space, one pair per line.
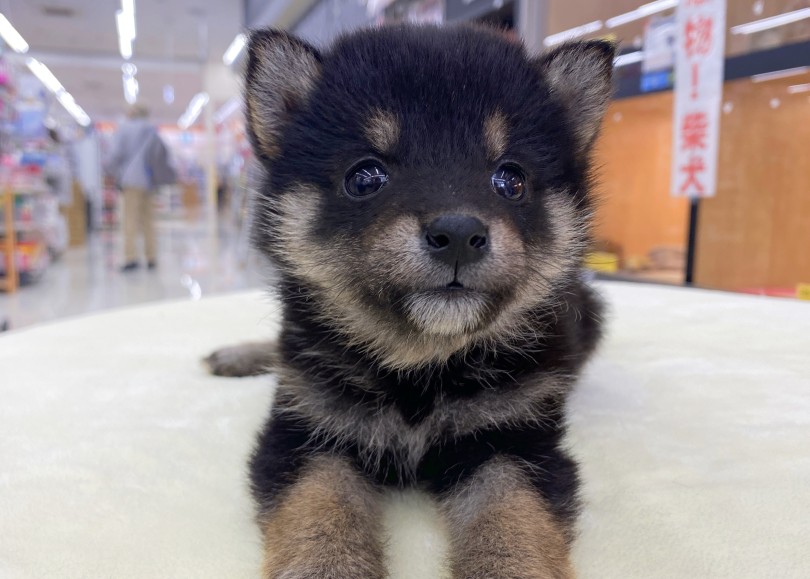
391,255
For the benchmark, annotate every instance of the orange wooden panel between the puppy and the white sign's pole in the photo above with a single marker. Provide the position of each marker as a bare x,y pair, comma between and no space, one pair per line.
636,212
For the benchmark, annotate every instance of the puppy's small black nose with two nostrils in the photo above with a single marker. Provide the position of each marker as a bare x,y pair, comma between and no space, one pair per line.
457,239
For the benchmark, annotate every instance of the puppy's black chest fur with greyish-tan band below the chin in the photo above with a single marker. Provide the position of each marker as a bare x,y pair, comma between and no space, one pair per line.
407,428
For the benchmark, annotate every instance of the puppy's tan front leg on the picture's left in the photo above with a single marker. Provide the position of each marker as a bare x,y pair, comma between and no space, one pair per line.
324,525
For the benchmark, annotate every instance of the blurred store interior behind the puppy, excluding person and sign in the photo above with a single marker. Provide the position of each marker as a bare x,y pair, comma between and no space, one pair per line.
71,69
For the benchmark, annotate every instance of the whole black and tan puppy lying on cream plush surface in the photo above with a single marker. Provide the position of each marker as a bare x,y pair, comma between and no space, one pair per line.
427,205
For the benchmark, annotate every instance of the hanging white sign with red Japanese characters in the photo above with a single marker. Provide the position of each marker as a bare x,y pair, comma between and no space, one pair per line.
699,63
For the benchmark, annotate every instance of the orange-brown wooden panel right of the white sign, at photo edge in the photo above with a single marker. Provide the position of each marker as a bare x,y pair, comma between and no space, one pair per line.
756,232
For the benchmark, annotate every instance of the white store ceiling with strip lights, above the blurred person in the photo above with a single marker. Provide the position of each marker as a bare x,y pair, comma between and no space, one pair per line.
177,41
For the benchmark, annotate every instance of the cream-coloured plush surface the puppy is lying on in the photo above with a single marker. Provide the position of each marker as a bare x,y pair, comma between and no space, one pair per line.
120,457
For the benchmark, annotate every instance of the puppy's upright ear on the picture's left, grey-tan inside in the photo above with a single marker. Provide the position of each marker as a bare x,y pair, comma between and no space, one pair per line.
280,74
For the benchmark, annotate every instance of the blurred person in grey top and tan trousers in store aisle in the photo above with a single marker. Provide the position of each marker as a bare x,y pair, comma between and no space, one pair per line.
139,163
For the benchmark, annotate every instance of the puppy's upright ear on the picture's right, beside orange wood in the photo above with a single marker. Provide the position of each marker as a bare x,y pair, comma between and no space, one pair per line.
580,75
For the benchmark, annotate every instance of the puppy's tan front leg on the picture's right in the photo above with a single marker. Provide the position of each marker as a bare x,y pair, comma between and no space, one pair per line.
503,529
